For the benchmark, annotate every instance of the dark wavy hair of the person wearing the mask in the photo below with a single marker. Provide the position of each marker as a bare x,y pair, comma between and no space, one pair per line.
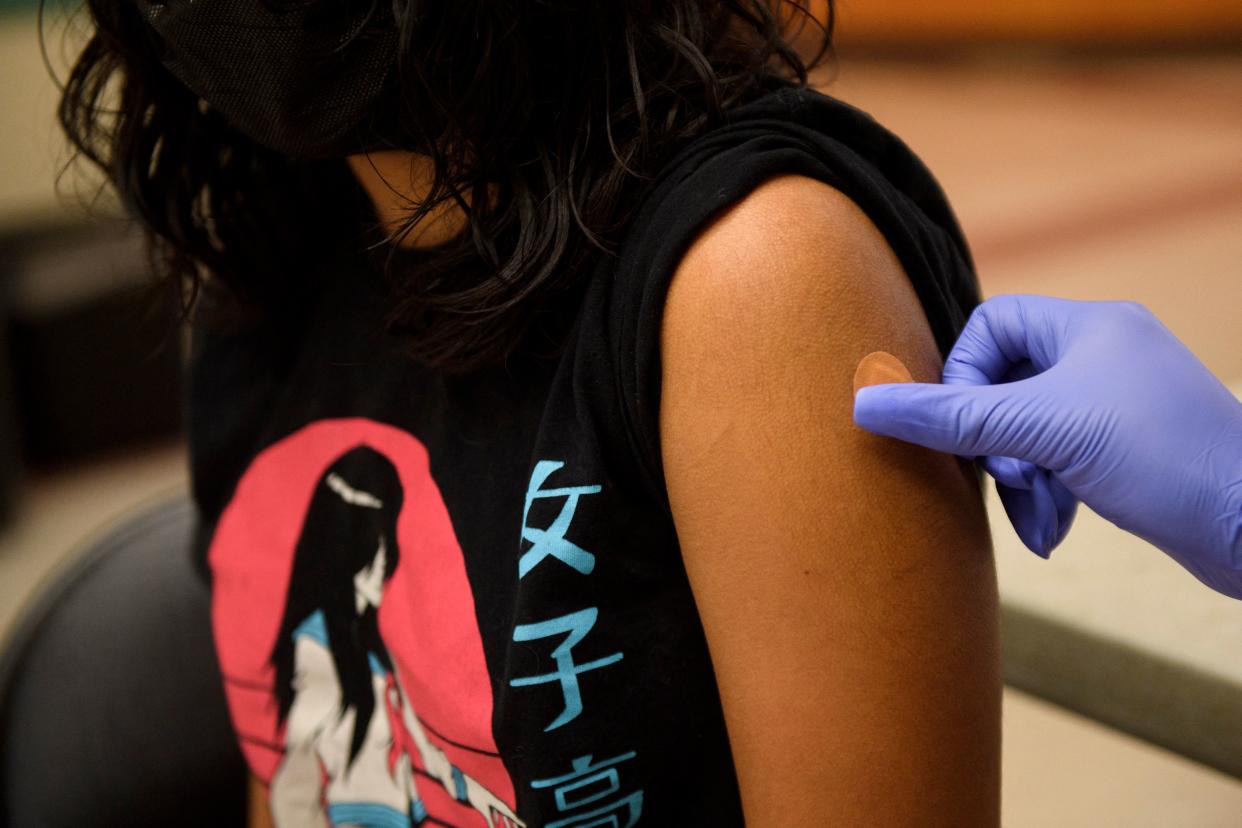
543,121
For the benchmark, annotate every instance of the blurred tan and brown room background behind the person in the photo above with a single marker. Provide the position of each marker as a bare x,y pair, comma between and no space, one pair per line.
1092,150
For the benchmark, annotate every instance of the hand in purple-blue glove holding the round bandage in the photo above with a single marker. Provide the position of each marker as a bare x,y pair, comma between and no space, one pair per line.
1092,402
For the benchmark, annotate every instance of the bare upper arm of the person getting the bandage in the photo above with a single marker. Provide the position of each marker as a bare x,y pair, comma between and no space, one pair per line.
845,582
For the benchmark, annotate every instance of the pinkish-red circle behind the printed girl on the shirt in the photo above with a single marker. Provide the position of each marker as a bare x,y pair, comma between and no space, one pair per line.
427,620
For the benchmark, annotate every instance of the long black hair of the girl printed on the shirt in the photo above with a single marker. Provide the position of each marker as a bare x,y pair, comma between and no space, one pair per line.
341,536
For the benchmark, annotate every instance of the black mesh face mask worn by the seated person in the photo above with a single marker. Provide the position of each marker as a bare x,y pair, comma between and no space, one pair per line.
305,78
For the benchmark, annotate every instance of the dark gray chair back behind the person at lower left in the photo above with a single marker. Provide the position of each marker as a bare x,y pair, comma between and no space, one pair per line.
112,711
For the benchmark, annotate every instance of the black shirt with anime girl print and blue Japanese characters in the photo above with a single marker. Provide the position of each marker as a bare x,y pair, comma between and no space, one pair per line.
484,569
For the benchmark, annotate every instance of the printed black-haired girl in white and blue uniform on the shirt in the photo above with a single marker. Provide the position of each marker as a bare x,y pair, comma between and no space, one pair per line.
355,749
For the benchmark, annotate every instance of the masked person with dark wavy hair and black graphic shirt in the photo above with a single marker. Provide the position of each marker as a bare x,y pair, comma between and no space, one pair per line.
520,412
